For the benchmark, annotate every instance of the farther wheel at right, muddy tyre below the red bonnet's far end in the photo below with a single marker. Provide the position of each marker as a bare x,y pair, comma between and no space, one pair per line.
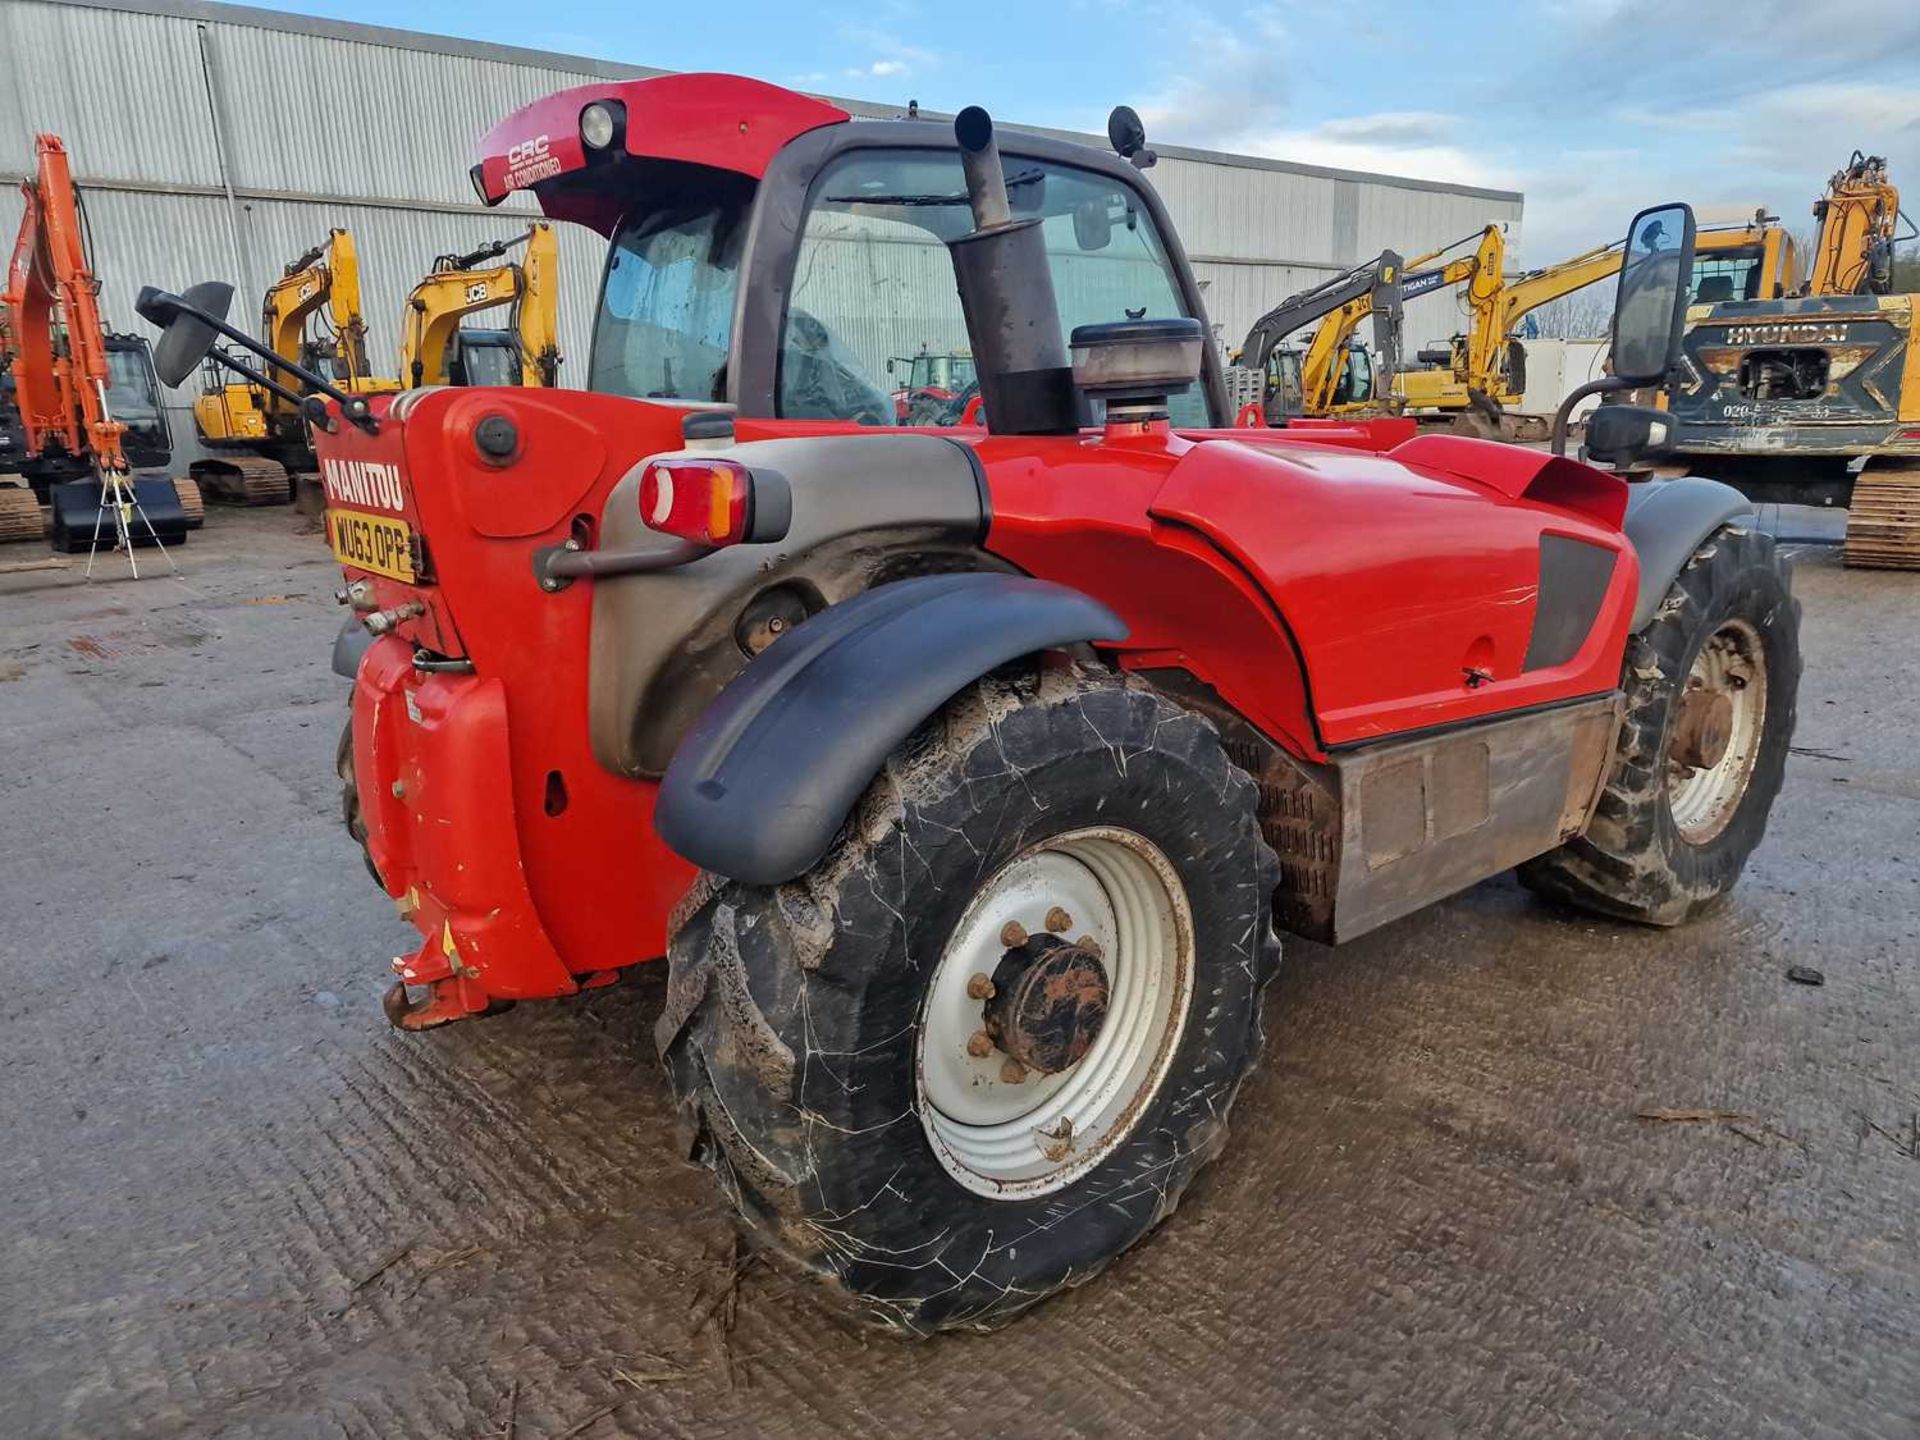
1712,688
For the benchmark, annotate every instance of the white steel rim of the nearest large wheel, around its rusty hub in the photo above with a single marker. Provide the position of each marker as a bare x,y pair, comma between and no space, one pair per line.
1032,1138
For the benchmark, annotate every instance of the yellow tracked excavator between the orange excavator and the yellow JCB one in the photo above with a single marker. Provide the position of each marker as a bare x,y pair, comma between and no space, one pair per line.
258,431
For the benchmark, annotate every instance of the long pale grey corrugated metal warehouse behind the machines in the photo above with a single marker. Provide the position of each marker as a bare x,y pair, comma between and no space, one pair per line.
222,141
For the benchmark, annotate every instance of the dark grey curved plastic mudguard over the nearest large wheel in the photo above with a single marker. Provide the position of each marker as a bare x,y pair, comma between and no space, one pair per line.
769,773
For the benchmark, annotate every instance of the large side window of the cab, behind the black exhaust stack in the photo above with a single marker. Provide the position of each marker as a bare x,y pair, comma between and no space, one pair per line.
875,320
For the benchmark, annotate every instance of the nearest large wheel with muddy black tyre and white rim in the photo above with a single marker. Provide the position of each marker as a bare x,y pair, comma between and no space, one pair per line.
986,1045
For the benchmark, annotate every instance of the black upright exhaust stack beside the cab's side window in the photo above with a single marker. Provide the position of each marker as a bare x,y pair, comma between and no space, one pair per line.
1026,385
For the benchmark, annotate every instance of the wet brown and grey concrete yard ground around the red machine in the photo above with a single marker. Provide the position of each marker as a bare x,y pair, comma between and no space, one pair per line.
237,1205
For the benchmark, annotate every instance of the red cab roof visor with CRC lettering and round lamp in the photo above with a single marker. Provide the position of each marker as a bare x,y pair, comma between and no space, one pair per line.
725,122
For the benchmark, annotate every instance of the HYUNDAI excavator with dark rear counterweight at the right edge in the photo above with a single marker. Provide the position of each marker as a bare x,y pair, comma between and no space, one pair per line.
1817,398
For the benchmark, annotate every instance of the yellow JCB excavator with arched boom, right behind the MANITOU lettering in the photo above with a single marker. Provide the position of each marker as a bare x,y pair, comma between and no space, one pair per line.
439,350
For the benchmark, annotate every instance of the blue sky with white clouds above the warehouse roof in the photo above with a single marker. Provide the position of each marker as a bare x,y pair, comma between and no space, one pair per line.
1593,108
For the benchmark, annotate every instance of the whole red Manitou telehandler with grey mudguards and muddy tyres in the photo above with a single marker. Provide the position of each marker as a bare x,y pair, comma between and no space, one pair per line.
963,777
